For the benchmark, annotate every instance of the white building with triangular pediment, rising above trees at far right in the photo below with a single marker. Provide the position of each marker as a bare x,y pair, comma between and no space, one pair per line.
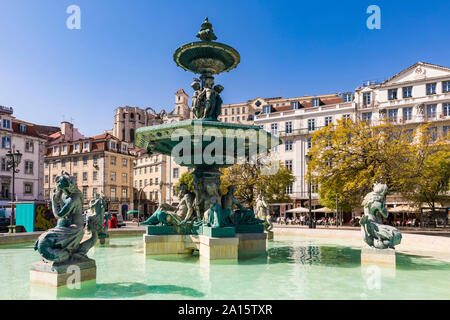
416,95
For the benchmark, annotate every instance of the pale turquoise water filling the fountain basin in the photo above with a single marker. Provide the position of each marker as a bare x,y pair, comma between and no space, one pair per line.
292,269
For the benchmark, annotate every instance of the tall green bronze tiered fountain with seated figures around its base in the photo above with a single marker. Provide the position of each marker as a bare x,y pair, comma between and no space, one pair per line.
217,225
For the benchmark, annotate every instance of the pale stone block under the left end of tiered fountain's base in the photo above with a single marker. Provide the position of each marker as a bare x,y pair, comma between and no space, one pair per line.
168,244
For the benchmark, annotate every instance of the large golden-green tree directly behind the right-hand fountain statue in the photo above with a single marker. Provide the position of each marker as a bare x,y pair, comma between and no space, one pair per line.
349,157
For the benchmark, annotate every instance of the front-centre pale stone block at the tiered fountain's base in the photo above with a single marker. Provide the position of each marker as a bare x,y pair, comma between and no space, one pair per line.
219,248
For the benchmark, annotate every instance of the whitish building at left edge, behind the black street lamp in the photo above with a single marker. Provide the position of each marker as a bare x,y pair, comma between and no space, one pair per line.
24,137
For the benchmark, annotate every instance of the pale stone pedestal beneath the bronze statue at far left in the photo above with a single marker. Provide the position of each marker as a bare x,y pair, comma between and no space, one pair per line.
54,274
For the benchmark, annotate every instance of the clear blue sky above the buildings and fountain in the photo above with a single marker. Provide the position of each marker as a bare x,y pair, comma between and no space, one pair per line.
123,53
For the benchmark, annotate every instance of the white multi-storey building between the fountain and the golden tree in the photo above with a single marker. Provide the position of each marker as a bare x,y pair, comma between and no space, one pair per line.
294,125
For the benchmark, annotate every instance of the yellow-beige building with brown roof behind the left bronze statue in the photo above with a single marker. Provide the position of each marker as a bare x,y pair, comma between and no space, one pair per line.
101,164
